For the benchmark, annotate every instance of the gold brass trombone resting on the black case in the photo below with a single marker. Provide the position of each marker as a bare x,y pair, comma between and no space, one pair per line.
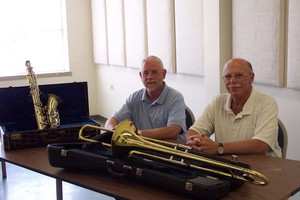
125,143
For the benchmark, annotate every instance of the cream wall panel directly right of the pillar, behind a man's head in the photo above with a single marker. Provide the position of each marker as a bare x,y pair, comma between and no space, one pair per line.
258,36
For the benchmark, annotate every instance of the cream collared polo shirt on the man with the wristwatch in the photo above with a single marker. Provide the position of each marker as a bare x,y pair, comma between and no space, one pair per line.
257,120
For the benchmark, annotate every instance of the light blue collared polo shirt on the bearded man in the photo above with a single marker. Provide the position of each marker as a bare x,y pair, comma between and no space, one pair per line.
167,109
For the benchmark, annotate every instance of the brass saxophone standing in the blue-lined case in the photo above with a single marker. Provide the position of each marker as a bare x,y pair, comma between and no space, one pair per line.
47,116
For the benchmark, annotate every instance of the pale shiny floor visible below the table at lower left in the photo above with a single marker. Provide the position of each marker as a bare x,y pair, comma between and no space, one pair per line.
23,184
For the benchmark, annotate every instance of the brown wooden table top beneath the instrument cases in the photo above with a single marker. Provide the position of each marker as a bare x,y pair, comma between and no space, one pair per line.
284,176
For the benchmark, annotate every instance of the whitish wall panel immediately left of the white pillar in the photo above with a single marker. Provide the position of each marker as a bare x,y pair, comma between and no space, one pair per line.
189,37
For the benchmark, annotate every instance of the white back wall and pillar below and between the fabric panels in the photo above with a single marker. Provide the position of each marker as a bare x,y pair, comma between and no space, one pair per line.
116,83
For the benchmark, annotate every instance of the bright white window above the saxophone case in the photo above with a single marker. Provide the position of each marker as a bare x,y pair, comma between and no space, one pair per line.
33,30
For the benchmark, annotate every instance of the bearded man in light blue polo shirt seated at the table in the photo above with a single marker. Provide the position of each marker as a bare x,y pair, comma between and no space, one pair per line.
157,110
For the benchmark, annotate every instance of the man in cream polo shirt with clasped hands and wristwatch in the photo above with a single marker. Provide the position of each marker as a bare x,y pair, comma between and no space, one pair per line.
244,120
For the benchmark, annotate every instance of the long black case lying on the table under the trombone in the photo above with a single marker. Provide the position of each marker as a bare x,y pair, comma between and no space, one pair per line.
189,182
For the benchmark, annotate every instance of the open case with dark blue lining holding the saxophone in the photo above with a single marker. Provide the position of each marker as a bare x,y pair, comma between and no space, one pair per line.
18,124
